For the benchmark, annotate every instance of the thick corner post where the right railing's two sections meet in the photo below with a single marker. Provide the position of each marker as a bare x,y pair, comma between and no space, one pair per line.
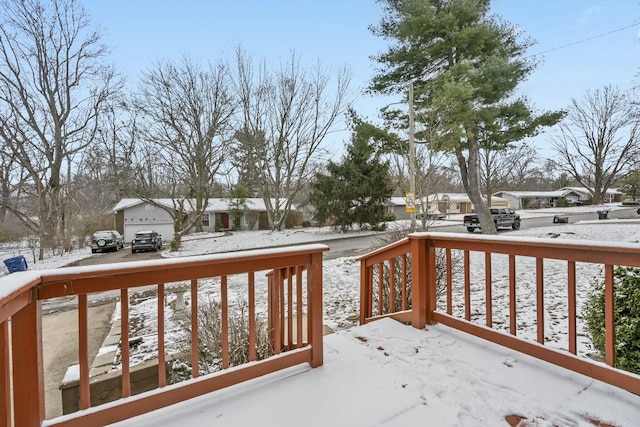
419,287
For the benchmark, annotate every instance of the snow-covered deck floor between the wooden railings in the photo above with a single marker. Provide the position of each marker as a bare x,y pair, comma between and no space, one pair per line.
386,373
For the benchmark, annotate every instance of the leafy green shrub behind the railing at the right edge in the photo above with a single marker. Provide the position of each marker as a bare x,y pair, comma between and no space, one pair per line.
626,318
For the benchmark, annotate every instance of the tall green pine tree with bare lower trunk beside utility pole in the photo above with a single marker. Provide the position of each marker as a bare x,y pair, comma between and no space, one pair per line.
464,65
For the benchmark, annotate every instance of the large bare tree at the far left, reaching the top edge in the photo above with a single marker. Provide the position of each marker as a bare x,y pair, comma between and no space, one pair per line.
53,86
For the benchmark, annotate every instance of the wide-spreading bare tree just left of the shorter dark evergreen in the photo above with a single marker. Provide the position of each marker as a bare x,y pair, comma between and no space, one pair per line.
285,117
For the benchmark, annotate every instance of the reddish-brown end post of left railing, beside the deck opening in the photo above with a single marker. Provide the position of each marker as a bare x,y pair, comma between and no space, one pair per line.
314,332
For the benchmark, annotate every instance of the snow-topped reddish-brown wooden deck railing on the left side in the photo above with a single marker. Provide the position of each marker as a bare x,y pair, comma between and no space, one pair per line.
291,295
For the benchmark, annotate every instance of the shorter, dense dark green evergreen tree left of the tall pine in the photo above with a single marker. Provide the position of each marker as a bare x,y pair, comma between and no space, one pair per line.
356,189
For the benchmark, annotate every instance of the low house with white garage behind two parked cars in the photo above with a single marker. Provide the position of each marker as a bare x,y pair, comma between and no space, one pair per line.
134,214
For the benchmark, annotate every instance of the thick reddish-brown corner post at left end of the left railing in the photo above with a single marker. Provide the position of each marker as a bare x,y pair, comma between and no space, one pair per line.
26,349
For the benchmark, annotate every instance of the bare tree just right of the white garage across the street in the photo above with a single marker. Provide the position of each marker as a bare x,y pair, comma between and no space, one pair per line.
187,111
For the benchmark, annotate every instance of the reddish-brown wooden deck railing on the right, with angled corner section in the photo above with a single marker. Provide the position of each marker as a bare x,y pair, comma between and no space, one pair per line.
474,284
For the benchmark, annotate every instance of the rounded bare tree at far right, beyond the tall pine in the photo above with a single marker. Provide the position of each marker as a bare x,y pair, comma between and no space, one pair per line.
598,140
